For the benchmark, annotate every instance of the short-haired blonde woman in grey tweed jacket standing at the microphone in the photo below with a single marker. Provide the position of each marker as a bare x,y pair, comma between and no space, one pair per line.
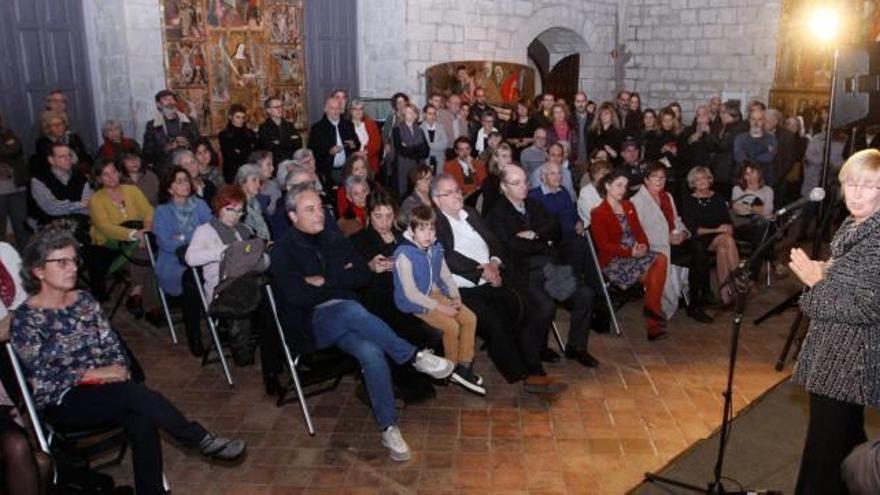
839,364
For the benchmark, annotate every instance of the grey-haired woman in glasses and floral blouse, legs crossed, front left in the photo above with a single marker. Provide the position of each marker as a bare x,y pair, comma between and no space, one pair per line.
79,371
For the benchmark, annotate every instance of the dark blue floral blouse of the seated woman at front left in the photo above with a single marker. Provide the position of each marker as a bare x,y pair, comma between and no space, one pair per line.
55,346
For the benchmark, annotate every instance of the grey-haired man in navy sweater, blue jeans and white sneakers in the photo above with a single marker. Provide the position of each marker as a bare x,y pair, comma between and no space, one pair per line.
317,274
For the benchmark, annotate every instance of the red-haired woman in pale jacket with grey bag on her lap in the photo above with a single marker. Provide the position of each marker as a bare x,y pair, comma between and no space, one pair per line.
205,250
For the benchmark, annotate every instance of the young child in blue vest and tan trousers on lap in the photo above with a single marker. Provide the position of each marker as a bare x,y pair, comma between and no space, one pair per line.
423,286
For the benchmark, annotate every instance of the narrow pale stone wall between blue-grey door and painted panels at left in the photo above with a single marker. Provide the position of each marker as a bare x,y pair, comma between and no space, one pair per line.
126,60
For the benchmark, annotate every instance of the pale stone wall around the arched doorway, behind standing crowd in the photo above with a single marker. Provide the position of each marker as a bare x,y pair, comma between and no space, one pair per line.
399,39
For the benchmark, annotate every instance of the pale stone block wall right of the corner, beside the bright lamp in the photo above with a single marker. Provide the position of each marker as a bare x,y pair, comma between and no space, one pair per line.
687,50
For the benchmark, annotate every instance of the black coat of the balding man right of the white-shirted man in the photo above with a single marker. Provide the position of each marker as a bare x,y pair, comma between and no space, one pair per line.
523,254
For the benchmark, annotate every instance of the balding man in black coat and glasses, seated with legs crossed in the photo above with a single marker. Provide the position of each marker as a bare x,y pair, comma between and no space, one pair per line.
530,235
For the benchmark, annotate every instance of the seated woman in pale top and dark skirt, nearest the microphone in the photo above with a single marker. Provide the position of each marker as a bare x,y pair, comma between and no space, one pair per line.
752,202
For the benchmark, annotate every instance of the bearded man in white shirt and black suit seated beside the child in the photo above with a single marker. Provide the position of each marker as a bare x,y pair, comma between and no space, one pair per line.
474,256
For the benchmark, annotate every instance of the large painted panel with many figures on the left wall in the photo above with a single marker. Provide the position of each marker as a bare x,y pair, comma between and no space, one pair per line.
220,52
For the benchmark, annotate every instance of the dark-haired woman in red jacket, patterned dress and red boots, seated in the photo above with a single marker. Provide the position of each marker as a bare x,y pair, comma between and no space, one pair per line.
623,250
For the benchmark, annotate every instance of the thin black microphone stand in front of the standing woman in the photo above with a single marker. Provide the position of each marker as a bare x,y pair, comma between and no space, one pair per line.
739,280
